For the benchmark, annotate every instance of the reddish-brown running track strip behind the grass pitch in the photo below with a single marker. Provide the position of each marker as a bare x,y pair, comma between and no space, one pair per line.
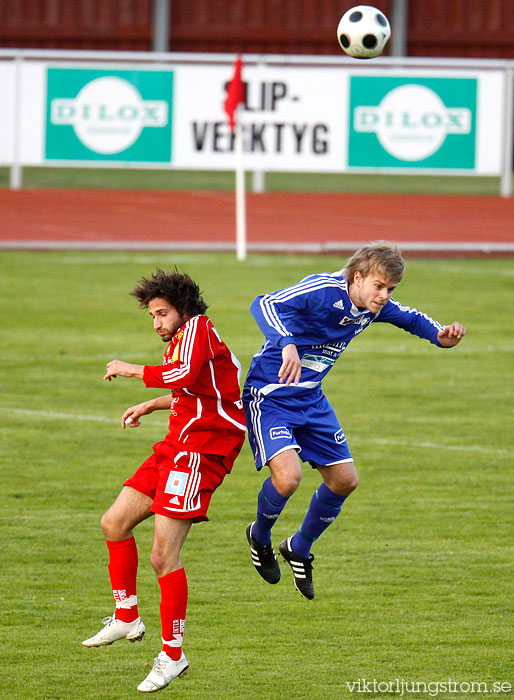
295,222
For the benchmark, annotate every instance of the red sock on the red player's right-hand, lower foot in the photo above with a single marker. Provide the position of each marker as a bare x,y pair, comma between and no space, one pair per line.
173,611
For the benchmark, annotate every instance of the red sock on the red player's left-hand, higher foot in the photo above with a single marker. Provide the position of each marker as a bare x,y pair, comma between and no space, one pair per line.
123,573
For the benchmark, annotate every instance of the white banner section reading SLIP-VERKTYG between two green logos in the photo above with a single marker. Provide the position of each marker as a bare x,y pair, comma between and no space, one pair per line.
293,118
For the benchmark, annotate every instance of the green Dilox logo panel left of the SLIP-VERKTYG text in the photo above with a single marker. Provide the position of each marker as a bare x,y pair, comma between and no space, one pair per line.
119,115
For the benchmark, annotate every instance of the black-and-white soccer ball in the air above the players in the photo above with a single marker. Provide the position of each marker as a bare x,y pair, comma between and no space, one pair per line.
363,32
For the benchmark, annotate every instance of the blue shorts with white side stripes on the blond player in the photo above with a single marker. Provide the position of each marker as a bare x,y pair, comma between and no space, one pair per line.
308,426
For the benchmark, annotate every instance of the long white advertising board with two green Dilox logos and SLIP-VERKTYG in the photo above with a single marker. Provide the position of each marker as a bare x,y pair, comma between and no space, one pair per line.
301,113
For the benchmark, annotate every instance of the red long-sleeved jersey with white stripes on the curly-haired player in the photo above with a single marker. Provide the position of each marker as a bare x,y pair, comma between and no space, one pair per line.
206,413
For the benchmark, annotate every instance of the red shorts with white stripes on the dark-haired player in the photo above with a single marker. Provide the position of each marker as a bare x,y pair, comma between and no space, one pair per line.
180,483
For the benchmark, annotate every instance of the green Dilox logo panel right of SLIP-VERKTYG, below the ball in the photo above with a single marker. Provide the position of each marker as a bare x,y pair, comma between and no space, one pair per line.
412,122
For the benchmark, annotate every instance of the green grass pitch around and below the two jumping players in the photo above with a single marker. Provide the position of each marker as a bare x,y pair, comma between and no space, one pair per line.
413,582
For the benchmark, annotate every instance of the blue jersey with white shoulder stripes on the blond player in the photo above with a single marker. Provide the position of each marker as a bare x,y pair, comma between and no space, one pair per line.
318,316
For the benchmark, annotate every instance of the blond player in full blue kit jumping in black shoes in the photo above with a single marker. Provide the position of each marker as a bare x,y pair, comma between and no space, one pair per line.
307,327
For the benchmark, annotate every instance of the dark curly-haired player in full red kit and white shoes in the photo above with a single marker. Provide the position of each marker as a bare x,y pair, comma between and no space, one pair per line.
206,433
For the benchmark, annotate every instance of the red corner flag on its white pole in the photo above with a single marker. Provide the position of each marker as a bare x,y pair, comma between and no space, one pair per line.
235,96
